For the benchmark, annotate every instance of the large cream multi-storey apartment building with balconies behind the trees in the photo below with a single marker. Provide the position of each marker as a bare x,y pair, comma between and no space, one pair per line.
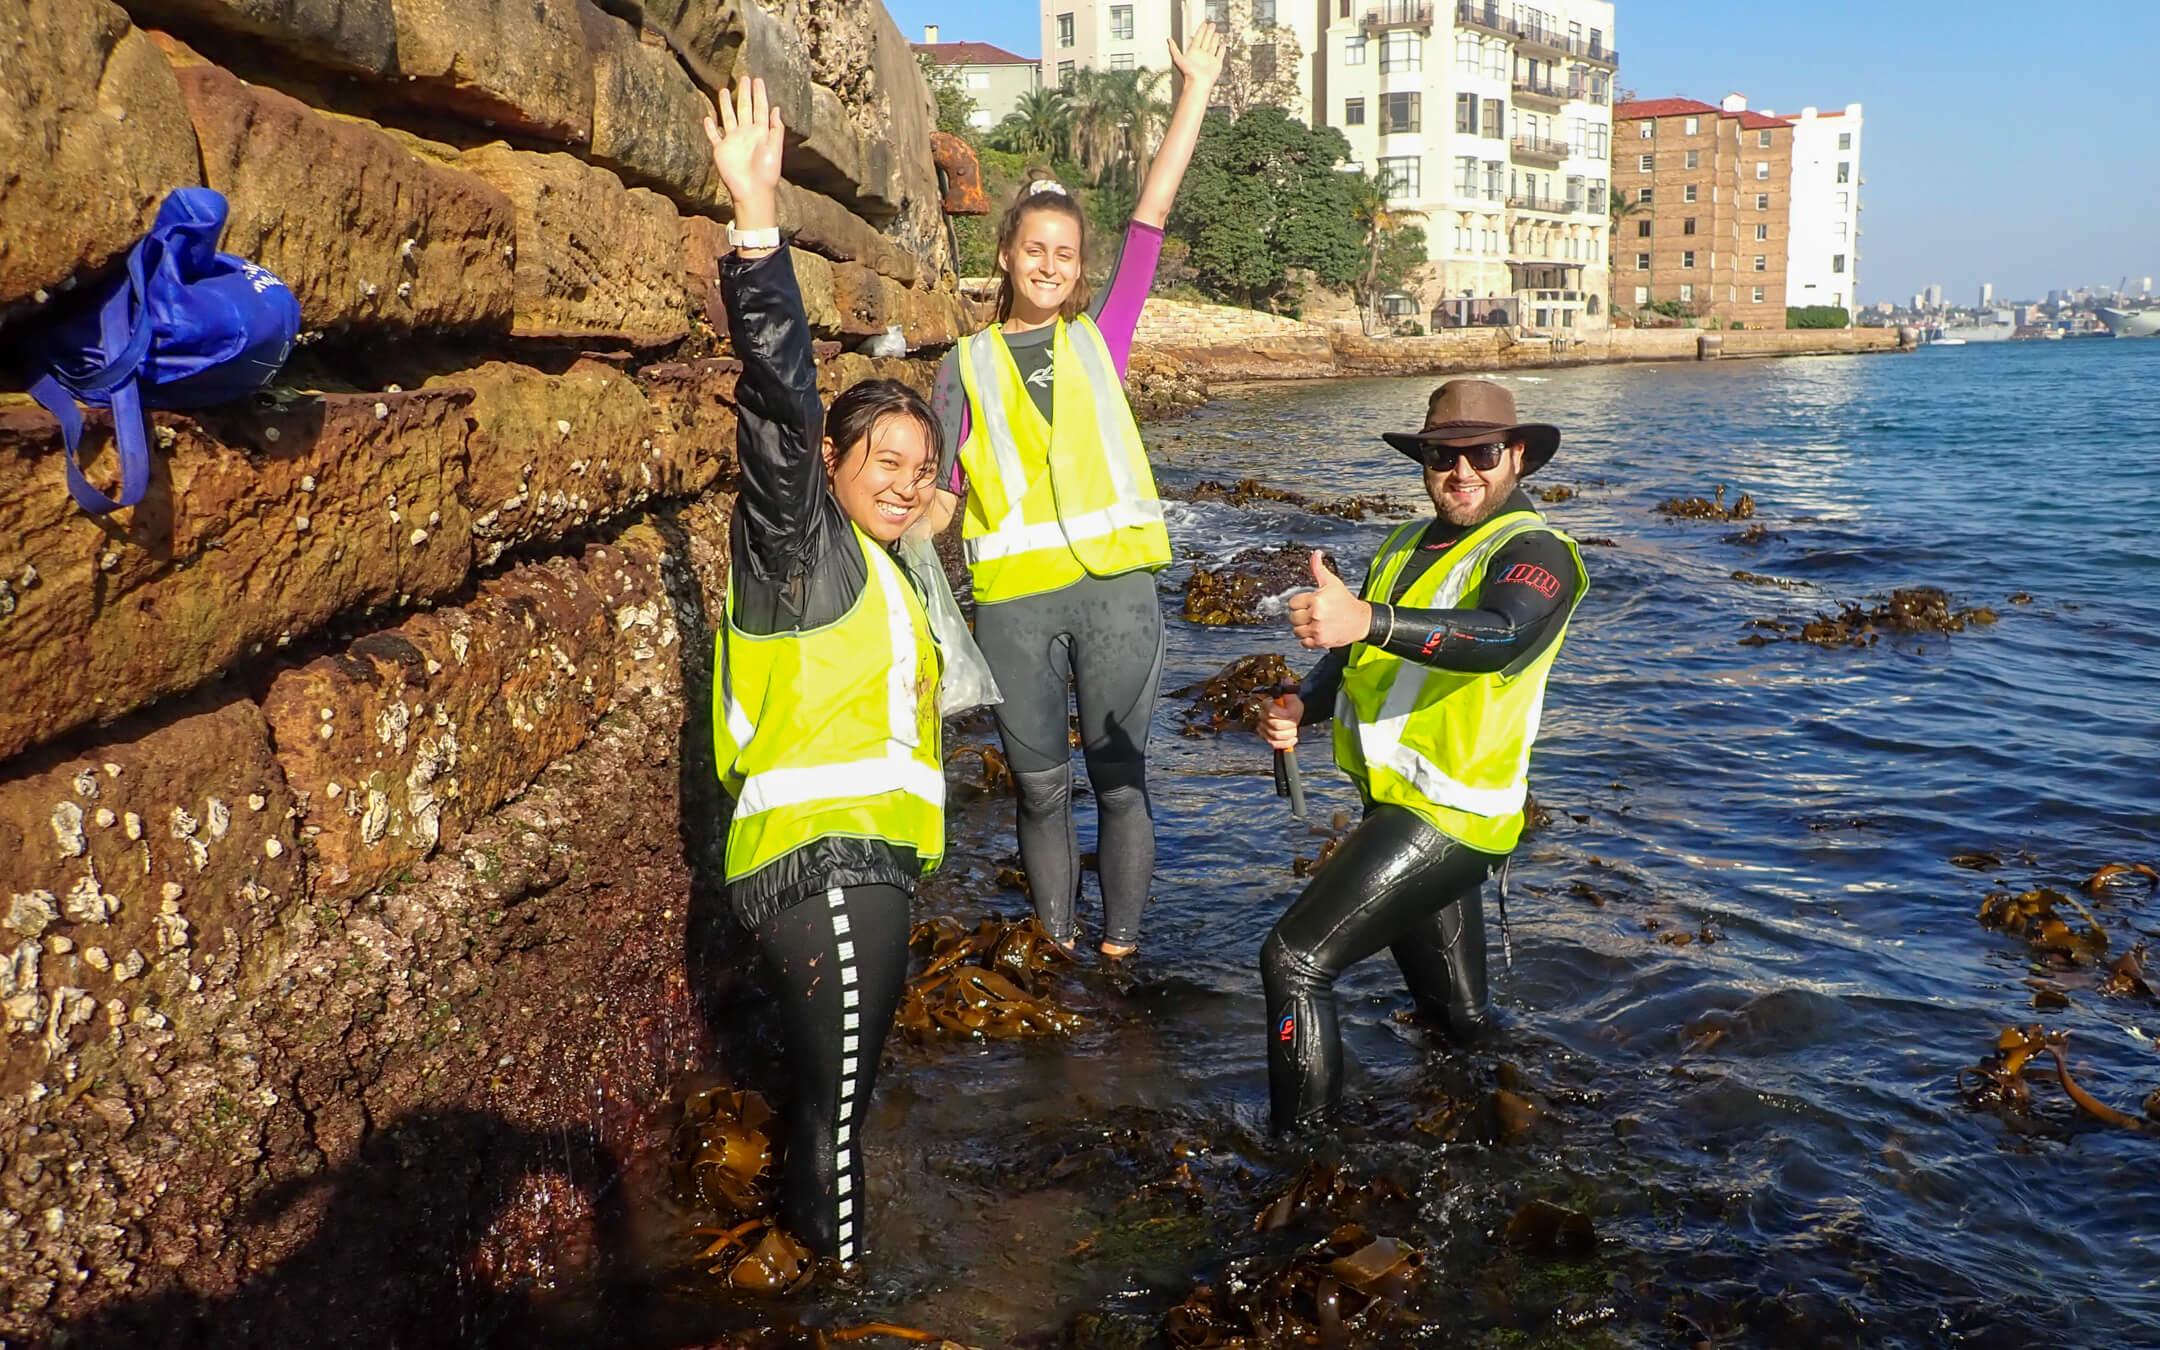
1491,120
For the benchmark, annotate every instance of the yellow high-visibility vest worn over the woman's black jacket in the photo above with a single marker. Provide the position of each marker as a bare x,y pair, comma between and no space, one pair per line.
833,731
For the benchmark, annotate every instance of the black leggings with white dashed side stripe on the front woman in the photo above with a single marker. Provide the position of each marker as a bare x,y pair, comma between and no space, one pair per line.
841,960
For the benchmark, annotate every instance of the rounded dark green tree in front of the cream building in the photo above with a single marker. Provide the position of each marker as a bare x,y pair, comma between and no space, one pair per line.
1265,198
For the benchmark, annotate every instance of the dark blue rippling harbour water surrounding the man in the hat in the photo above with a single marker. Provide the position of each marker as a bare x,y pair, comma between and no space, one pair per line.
1809,1176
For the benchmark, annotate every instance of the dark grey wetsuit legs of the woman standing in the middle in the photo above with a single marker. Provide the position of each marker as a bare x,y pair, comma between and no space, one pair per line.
1105,640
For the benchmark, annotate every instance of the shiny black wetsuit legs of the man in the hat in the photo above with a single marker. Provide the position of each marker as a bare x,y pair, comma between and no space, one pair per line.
1401,885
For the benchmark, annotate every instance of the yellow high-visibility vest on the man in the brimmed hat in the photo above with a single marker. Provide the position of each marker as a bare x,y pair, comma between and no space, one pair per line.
1450,746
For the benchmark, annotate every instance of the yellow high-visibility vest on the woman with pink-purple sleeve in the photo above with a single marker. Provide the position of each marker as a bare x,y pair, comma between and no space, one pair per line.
1053,502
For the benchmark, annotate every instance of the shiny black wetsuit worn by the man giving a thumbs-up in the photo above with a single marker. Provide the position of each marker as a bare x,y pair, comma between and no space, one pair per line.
1399,882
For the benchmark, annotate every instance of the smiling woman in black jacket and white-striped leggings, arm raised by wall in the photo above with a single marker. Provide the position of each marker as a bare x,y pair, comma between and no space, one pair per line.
826,694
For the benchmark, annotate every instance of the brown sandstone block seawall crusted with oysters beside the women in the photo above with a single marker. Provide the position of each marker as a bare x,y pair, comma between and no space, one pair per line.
357,818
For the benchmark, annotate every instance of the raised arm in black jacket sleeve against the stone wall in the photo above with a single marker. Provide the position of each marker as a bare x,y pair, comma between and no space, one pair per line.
781,422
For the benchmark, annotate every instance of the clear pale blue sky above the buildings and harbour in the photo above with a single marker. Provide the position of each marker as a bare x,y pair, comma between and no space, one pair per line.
2006,141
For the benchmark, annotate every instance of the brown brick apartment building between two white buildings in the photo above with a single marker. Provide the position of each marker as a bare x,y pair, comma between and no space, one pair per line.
1710,198
